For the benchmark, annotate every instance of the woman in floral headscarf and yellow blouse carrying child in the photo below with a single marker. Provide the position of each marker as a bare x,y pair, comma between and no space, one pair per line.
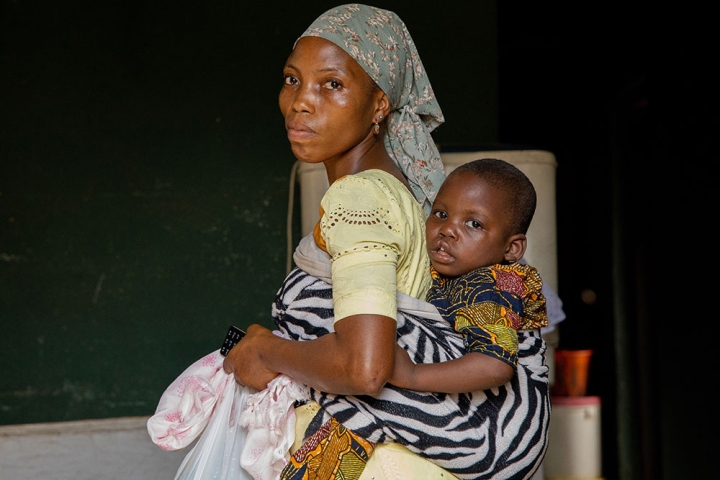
357,99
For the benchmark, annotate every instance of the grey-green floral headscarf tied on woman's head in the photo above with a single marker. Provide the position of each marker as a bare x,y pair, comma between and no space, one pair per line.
380,42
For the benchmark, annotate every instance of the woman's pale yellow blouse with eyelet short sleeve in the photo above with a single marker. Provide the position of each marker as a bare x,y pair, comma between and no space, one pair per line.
373,230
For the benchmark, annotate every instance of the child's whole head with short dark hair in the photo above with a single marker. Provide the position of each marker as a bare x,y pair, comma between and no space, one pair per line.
480,217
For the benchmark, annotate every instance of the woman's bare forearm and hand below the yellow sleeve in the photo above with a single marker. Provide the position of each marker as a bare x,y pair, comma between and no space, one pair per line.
356,359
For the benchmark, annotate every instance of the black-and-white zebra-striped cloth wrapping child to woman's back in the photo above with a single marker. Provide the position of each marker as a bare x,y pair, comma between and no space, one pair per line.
494,434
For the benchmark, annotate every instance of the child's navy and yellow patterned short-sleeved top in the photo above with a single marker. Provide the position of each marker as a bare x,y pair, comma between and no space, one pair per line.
489,305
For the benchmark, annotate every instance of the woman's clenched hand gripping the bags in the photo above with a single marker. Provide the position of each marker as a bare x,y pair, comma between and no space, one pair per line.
246,360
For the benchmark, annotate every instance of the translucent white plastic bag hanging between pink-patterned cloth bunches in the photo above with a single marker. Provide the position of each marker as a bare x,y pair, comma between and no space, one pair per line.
216,455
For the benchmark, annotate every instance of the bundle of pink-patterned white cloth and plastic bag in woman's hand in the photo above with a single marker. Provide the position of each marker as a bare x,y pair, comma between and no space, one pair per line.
242,434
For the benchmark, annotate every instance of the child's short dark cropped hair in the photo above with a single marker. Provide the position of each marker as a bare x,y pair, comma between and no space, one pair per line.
521,197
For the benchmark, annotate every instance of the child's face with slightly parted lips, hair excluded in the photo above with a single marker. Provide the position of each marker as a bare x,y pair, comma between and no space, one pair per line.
467,227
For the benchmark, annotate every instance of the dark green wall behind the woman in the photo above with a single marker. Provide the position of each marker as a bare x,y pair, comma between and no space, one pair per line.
144,180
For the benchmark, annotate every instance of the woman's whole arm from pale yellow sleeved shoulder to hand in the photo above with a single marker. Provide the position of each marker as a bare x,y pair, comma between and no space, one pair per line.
358,357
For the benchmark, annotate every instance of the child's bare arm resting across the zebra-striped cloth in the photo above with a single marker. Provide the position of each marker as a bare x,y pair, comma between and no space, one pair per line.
471,372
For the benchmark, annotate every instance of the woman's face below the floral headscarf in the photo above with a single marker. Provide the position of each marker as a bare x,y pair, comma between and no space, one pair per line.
327,99
